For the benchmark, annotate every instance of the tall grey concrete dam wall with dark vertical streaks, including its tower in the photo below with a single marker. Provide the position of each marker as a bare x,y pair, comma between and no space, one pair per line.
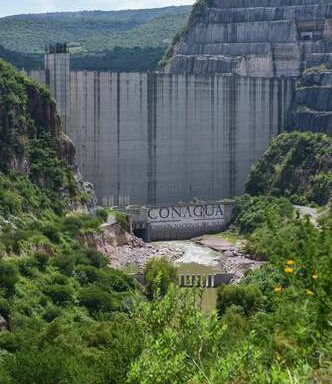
151,138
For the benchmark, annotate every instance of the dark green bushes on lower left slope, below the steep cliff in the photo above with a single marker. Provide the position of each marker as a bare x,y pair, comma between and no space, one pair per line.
67,311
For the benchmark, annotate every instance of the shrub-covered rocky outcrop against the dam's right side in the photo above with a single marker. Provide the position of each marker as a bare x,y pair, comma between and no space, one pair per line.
297,166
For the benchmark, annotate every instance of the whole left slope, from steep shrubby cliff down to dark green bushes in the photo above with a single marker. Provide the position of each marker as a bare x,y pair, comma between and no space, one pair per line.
66,310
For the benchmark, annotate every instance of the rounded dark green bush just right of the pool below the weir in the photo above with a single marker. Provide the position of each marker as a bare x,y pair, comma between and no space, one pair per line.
248,297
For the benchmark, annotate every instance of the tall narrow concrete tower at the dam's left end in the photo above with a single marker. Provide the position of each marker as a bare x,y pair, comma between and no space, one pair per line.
58,78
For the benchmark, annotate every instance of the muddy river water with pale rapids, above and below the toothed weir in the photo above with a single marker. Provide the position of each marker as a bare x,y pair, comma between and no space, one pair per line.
197,260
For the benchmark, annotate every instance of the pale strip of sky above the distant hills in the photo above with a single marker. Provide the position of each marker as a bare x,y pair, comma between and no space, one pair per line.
15,7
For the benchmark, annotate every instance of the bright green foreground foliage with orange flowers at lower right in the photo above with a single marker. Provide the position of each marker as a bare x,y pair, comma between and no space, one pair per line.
275,330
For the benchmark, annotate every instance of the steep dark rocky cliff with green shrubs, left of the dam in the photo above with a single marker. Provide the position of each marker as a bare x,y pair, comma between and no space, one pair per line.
33,145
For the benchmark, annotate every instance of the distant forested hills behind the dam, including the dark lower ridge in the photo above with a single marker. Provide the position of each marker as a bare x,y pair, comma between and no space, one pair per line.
93,35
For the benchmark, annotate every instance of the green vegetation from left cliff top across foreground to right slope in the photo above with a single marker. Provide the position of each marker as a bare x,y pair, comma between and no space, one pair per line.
70,318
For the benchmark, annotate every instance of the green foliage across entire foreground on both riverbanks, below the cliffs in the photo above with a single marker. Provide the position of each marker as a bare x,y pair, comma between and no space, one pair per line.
73,319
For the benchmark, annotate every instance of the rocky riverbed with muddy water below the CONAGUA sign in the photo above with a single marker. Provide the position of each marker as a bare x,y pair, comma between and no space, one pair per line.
209,254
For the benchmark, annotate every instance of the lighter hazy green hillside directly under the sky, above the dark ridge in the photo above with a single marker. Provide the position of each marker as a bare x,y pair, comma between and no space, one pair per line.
92,31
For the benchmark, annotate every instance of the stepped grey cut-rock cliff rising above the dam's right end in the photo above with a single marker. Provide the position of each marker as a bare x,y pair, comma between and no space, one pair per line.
259,38
